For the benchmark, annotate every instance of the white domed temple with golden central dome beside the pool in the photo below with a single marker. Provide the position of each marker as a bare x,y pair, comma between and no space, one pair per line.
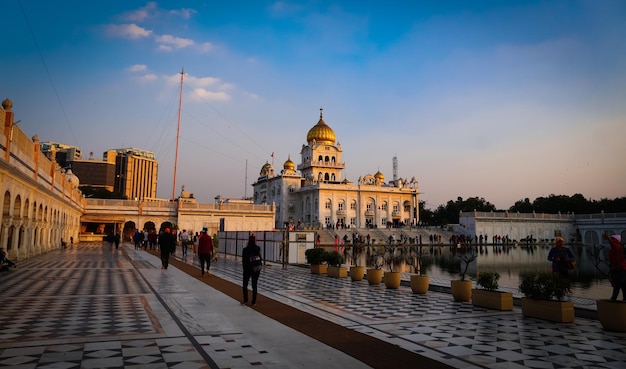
320,196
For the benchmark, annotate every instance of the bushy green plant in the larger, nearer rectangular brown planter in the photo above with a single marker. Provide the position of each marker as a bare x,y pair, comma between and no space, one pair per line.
544,293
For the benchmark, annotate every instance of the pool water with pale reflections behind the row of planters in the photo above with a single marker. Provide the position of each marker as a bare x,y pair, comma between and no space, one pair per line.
512,261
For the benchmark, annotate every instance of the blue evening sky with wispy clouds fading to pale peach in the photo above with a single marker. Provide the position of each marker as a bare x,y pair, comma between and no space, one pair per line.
502,100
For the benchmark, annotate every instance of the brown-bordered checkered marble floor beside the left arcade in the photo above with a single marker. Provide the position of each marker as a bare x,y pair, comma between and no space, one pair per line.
85,307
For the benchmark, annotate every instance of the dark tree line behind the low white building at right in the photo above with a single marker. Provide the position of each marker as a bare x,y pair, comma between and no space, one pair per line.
449,213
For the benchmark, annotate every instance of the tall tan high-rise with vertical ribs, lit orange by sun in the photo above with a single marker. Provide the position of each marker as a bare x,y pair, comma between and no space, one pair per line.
135,172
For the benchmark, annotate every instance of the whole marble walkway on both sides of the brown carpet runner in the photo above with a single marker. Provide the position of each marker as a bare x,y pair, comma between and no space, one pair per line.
92,307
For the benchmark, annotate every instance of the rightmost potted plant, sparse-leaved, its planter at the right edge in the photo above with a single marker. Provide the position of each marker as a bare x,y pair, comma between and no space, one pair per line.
611,313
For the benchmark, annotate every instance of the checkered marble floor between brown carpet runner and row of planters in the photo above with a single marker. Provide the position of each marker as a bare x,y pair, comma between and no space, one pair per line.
435,326
